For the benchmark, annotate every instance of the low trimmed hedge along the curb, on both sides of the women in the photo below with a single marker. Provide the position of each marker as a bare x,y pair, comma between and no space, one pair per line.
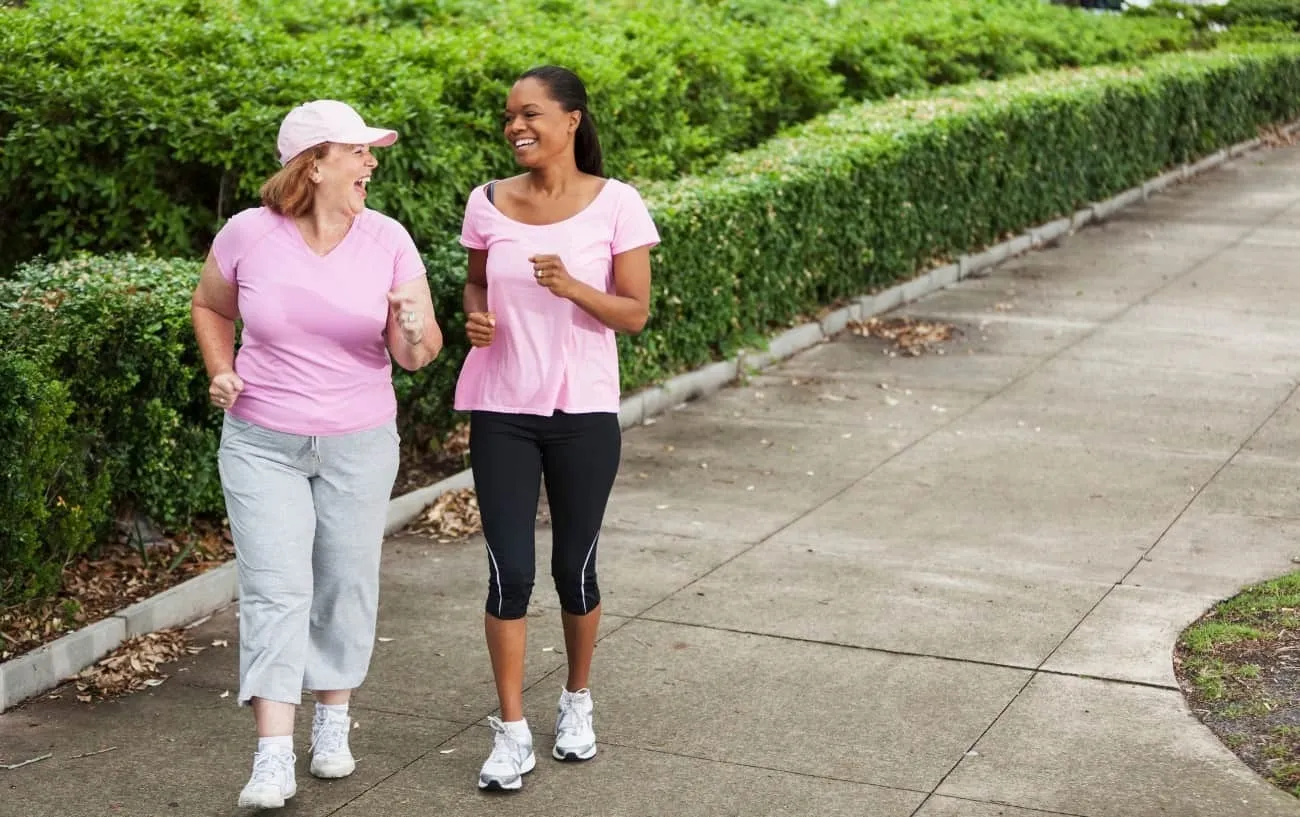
853,201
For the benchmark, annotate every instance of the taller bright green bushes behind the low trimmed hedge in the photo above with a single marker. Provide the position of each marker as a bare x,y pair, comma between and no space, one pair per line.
144,124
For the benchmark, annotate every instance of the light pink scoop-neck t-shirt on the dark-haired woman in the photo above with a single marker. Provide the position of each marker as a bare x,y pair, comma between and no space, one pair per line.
549,355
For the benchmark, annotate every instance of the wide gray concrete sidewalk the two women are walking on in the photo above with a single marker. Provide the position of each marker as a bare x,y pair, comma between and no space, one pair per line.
859,585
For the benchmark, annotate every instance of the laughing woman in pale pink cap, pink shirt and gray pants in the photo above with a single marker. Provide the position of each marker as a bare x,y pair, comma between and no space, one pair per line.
330,295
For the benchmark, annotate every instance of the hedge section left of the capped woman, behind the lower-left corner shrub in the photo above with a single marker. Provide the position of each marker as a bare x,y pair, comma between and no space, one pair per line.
116,332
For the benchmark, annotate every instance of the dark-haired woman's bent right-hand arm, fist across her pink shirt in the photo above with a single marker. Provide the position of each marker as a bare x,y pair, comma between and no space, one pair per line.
627,310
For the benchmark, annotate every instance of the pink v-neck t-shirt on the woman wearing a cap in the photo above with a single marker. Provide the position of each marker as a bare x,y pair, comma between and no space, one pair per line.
314,357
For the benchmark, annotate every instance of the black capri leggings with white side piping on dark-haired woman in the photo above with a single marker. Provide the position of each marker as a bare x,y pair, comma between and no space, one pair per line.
578,455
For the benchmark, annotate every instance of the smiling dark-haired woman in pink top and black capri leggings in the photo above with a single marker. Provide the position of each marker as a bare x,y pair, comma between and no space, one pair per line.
560,261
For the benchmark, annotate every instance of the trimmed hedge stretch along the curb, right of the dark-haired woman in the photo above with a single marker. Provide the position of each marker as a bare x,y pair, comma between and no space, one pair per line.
870,194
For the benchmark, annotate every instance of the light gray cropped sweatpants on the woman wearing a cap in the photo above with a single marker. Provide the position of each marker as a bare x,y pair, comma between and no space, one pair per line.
307,516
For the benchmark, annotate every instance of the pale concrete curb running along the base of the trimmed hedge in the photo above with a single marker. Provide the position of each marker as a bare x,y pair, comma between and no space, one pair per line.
49,667
